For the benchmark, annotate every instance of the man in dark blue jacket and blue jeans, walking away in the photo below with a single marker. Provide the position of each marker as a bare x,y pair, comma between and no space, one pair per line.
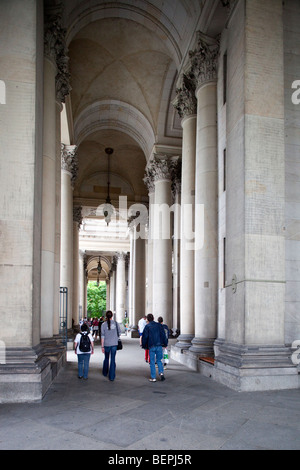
154,339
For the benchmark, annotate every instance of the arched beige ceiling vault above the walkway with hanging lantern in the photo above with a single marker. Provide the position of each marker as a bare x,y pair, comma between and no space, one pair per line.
124,60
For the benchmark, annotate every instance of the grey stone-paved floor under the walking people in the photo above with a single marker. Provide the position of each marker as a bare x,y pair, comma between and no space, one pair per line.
185,412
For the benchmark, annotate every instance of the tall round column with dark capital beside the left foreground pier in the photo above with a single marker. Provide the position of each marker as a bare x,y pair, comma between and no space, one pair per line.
56,87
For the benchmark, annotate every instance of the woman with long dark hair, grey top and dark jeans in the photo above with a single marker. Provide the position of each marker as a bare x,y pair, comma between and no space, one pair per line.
110,333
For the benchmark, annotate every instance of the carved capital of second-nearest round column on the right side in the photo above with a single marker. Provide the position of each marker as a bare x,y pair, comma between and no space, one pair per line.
186,102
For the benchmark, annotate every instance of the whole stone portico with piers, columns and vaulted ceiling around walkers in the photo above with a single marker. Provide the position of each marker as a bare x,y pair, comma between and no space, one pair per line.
195,101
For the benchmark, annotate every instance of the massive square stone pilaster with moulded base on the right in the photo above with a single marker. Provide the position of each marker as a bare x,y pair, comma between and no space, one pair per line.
253,355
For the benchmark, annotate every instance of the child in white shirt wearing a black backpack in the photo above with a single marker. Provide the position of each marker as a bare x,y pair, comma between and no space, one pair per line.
84,347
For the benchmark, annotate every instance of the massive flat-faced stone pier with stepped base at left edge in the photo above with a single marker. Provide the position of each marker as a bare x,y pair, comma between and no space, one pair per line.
21,150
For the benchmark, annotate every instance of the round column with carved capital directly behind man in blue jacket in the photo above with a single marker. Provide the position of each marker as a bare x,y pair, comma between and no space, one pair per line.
162,239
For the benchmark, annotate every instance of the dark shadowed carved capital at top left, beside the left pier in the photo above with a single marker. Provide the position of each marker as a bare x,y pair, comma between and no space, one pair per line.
55,48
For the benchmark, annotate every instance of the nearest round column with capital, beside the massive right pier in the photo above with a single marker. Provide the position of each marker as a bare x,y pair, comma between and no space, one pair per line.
204,66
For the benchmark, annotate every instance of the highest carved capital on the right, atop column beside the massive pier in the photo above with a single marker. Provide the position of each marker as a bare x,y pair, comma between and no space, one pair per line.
204,60
